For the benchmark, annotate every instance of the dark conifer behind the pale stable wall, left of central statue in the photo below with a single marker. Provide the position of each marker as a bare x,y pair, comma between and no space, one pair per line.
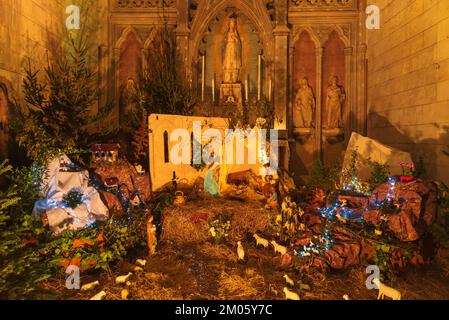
164,88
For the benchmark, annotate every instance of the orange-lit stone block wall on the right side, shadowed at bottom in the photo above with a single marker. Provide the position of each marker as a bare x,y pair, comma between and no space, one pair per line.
408,80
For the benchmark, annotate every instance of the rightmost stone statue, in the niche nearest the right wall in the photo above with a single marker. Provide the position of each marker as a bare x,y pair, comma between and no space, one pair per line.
334,103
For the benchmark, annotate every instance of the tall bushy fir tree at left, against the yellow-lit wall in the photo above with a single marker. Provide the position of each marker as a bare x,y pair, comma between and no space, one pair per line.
59,102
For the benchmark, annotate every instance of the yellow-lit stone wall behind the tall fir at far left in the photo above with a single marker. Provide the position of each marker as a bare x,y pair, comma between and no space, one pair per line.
32,30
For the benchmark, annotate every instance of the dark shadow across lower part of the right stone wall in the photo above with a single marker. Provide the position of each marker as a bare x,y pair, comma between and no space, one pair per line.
427,150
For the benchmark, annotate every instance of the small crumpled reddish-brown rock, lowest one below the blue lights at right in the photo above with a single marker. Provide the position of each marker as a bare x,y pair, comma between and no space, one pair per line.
343,255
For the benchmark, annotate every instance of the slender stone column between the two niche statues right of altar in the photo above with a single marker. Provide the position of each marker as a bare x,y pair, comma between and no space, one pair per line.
318,154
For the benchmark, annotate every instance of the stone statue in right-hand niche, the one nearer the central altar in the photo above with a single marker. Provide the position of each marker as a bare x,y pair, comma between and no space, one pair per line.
304,107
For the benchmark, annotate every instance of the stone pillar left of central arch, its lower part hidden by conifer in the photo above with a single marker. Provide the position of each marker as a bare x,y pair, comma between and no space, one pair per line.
183,32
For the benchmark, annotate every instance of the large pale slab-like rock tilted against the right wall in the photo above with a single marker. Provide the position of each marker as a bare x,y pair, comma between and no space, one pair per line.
375,151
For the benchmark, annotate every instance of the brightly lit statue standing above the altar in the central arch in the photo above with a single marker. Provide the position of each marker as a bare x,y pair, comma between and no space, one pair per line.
232,53
